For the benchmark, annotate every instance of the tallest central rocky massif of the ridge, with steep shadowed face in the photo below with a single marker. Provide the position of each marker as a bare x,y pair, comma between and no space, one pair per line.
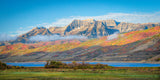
89,28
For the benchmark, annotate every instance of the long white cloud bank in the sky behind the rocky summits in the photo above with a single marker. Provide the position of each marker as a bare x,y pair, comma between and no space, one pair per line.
121,17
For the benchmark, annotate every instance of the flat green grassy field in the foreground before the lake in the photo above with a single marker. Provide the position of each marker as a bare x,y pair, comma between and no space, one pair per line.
81,74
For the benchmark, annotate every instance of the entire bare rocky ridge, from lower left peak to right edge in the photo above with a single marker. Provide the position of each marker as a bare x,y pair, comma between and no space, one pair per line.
90,28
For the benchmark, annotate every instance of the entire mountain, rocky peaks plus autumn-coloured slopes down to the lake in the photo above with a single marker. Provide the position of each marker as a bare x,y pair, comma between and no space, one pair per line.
110,41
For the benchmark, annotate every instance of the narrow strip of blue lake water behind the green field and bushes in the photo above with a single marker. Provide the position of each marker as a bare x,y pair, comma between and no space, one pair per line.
114,64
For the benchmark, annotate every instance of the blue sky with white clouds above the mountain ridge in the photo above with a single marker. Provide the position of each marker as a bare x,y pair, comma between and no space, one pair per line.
19,16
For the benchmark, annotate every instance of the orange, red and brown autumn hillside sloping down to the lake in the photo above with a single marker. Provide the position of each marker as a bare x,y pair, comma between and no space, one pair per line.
143,45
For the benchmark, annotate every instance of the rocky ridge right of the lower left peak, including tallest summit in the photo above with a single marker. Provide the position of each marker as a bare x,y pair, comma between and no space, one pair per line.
93,29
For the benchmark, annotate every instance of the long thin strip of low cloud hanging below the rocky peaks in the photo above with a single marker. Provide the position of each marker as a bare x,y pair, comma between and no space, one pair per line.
54,37
